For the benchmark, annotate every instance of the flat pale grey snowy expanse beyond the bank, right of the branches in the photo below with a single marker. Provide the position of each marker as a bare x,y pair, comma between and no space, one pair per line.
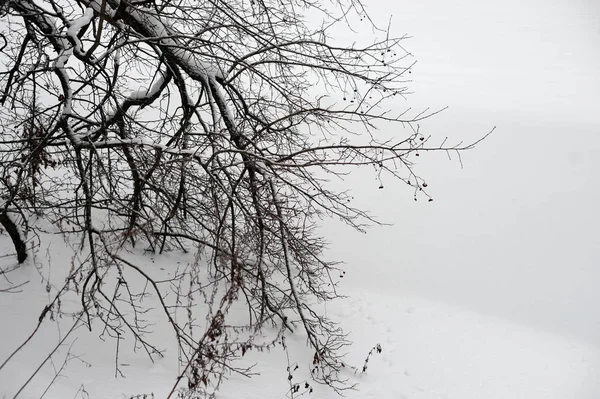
516,233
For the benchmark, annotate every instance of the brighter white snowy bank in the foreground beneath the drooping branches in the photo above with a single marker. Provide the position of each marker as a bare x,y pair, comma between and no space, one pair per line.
430,350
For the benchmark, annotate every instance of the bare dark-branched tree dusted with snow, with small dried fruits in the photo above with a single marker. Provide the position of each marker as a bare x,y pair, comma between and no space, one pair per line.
211,125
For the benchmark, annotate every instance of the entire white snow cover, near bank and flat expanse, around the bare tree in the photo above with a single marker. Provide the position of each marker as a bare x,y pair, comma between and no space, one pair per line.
489,292
